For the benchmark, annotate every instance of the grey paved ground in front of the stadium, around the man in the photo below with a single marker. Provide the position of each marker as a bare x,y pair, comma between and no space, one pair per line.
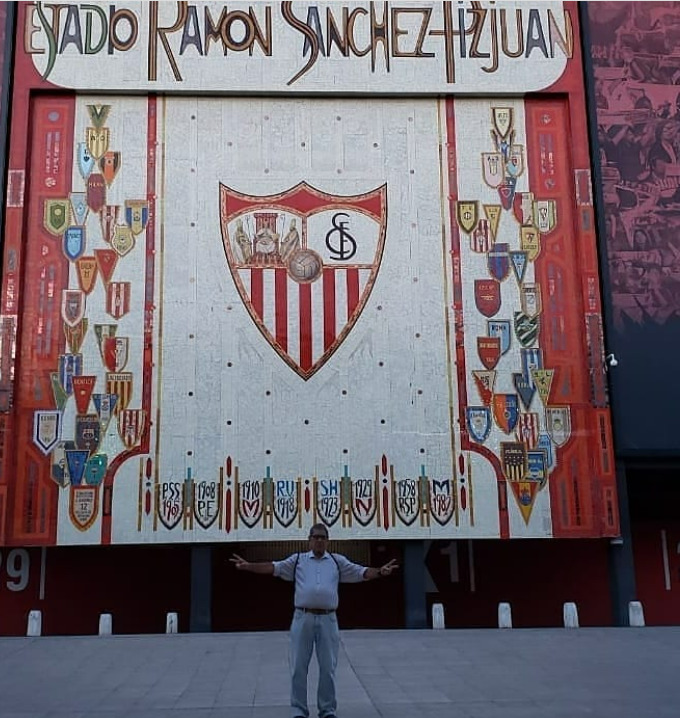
552,673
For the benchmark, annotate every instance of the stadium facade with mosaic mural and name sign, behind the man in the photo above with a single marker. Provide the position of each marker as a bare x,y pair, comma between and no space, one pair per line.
273,264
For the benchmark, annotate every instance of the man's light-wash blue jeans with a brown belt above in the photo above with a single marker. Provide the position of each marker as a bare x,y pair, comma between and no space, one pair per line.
308,632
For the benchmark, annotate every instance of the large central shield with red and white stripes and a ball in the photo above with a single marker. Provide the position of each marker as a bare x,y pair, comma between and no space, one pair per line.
304,262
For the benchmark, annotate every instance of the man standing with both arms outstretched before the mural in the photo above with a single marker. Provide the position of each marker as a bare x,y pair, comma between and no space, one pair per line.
317,574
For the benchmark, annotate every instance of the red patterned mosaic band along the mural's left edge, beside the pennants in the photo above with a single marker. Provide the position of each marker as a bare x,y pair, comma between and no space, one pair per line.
40,337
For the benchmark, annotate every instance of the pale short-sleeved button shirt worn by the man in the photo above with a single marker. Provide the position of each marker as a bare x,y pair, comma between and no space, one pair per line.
316,579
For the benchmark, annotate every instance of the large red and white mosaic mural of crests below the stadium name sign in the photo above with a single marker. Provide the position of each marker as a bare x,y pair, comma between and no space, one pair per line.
241,316
